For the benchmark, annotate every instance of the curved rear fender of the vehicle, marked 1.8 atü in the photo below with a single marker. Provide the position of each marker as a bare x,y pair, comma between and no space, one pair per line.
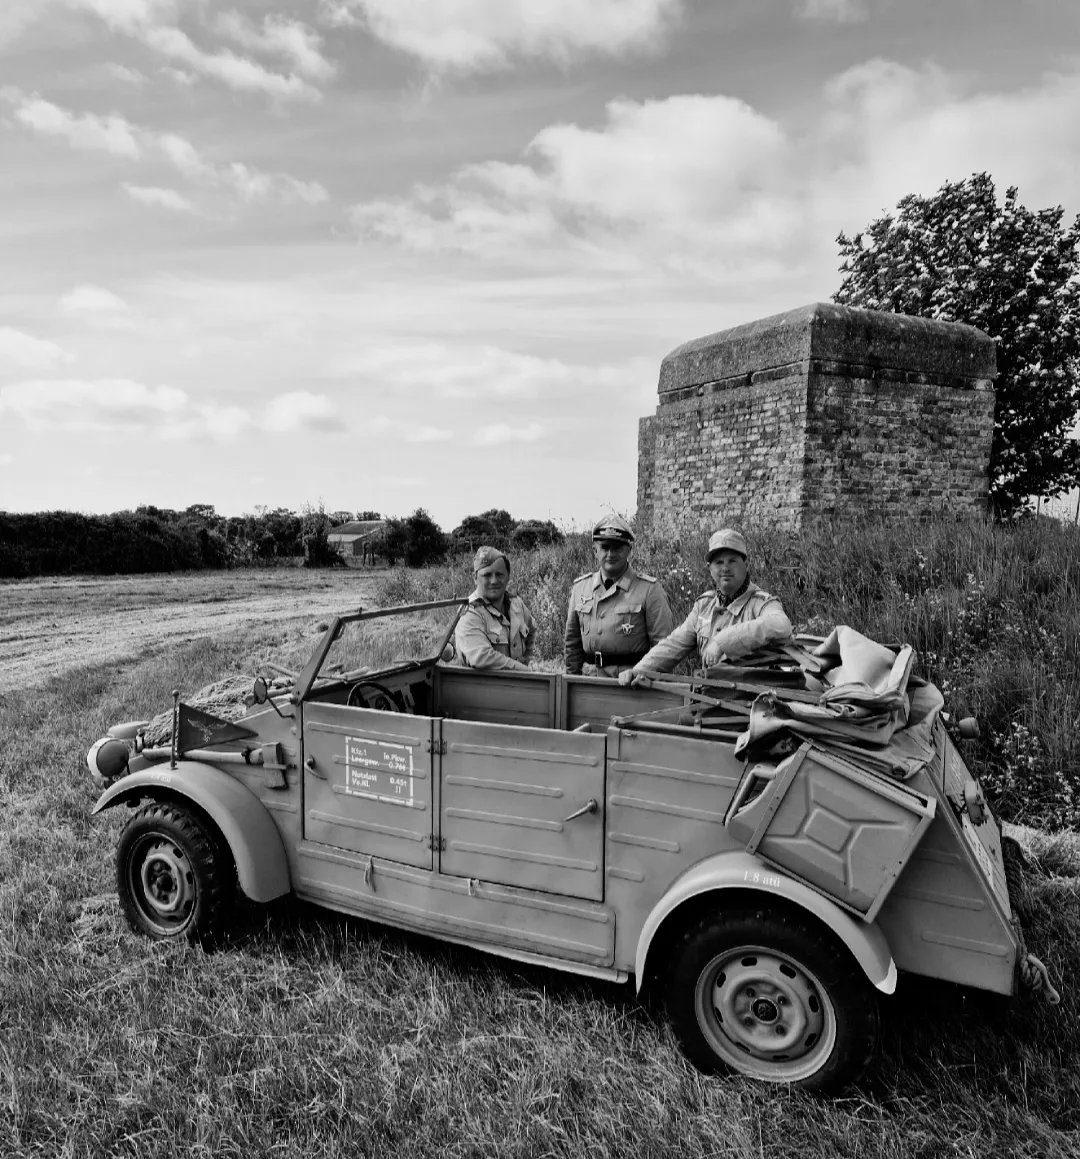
742,872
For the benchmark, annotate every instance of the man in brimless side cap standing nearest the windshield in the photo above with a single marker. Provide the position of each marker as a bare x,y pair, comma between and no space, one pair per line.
497,631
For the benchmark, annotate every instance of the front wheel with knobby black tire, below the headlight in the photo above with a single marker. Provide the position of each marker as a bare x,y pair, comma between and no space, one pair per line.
173,878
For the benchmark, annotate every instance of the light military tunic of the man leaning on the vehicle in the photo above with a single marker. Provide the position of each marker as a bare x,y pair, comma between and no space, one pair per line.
723,632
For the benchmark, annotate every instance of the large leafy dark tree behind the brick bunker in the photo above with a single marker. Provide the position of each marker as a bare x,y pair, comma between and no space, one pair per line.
960,257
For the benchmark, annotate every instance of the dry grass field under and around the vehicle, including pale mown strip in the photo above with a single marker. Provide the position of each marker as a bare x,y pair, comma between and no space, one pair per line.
315,1036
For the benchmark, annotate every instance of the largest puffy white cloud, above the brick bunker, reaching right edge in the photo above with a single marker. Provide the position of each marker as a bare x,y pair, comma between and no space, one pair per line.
706,187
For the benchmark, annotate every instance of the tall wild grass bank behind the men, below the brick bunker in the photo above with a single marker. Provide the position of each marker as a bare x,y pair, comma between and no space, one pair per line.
993,610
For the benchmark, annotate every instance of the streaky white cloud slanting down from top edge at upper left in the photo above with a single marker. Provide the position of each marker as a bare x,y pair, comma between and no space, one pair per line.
154,25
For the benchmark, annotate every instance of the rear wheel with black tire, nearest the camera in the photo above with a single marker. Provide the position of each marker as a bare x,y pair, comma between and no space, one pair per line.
771,996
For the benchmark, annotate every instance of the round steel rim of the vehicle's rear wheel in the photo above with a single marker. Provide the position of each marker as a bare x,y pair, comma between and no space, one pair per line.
765,1015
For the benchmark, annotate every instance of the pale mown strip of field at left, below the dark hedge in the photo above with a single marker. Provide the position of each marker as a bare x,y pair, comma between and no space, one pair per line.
55,624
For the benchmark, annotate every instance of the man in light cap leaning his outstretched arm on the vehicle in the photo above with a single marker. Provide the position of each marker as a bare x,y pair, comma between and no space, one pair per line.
732,621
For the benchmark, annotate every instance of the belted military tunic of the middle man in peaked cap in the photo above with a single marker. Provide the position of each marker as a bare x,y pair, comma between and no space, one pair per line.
612,629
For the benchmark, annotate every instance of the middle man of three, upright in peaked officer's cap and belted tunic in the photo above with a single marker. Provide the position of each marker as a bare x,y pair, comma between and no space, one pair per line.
616,614
